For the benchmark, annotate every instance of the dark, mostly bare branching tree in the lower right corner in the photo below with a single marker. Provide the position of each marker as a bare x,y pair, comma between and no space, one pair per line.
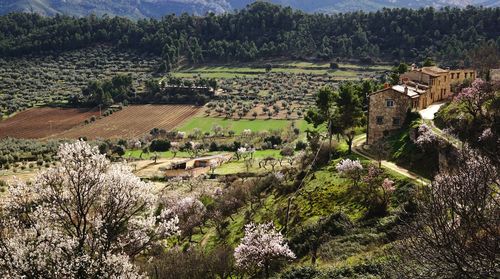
454,234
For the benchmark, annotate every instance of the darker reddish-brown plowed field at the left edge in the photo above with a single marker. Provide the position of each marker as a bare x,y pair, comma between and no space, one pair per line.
43,122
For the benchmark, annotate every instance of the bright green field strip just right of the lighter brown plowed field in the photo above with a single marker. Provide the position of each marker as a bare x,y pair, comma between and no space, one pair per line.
206,124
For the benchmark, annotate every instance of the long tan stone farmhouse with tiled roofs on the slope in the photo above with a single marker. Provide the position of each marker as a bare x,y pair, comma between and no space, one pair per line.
418,88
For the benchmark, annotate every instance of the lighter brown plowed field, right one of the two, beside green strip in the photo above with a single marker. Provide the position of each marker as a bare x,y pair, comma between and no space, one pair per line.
133,121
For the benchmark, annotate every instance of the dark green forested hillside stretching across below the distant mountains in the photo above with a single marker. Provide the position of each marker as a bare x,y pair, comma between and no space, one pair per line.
263,30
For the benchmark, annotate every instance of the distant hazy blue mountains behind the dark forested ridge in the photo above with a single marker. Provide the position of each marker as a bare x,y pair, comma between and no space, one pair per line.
158,8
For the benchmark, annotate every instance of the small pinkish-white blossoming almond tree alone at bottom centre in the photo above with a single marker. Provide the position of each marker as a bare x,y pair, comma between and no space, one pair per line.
261,246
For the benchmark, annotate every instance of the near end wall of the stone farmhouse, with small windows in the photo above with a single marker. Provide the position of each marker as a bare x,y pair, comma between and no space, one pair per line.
378,108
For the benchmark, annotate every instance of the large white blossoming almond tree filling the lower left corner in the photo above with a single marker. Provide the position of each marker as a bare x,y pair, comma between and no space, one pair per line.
84,218
